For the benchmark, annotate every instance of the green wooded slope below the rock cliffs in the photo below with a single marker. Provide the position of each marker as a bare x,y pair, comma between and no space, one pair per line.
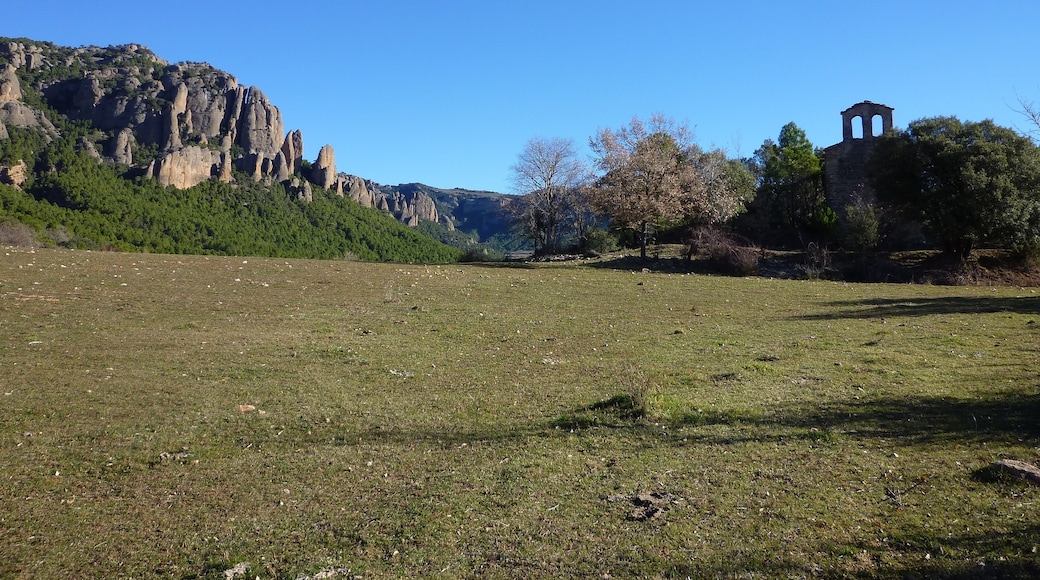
91,205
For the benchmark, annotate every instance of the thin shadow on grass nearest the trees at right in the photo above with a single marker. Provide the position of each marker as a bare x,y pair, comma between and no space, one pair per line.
877,308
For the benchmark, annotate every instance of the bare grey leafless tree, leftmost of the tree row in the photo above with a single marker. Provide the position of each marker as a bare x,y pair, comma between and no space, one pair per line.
550,176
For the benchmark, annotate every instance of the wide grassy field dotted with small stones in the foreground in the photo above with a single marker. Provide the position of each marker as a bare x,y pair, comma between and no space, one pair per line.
193,417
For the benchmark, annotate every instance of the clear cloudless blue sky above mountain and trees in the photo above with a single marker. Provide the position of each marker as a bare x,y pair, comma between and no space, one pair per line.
448,93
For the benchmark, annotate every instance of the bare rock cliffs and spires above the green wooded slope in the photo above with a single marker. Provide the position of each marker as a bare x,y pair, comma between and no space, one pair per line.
167,118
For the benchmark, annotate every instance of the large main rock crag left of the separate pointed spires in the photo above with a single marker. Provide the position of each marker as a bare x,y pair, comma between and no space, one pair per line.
164,106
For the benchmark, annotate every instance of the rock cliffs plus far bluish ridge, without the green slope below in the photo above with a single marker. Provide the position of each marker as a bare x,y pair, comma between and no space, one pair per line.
186,125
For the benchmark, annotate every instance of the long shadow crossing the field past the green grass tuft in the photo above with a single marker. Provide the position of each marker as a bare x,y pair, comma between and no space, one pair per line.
901,421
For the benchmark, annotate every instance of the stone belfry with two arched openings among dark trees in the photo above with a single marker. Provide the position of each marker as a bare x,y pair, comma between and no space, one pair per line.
845,164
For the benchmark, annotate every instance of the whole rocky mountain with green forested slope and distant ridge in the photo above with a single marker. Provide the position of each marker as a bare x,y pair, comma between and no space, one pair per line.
164,137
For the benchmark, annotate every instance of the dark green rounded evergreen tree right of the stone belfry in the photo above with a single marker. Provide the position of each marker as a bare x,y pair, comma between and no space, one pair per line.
968,183
